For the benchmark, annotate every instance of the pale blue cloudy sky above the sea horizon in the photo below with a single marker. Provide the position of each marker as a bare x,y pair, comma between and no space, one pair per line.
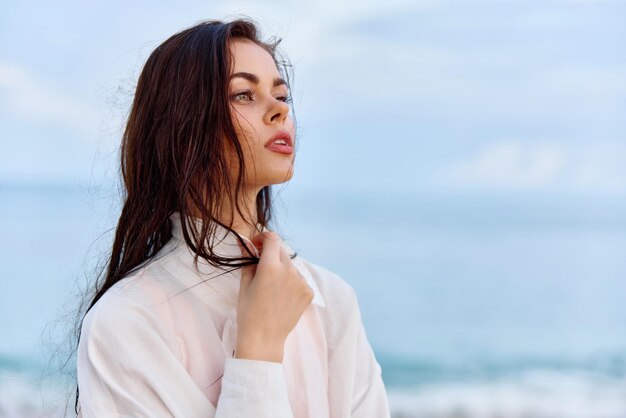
462,96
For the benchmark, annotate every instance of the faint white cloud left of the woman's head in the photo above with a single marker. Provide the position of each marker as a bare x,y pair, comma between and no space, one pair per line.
23,95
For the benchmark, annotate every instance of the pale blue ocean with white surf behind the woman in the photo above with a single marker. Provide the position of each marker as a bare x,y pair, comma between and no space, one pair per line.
476,304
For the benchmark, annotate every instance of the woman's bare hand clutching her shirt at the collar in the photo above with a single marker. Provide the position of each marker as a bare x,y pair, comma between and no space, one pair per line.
272,298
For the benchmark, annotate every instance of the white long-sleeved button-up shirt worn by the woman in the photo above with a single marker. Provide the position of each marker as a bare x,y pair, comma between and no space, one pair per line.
160,343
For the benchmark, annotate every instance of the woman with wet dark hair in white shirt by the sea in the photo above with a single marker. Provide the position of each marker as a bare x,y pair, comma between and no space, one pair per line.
203,311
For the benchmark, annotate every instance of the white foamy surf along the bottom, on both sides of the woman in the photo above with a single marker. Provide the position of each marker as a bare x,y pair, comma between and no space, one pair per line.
537,394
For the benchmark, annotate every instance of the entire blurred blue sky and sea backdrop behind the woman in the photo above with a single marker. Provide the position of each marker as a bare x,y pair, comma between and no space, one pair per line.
462,164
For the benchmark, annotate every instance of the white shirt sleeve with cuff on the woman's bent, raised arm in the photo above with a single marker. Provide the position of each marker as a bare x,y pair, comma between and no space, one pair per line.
127,368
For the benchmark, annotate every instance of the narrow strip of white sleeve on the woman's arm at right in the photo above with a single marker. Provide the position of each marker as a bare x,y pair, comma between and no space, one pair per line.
369,398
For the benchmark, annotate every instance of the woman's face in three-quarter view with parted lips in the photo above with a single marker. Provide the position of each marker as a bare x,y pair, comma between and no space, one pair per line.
260,114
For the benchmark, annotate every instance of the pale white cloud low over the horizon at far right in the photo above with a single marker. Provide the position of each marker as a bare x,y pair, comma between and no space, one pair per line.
515,164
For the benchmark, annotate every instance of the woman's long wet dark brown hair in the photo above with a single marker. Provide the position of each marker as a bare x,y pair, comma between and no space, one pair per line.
174,152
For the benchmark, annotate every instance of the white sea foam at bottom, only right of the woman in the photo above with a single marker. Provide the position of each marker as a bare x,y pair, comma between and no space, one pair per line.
534,395
